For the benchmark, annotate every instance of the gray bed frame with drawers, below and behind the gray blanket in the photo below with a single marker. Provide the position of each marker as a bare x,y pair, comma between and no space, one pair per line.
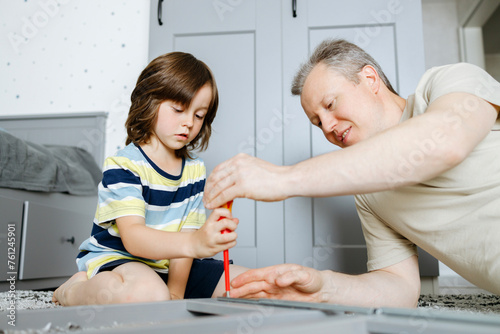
40,232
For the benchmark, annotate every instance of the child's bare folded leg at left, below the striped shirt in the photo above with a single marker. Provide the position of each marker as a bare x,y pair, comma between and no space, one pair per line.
131,282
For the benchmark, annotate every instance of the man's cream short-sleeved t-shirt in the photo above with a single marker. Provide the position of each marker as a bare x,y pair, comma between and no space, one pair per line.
456,216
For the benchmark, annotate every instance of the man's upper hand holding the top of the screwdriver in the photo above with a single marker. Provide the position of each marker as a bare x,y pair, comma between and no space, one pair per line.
245,176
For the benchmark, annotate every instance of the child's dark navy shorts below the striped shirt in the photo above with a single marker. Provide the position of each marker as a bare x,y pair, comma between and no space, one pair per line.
203,278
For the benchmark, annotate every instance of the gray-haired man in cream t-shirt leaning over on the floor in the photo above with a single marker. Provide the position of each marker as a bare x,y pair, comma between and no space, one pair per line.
433,178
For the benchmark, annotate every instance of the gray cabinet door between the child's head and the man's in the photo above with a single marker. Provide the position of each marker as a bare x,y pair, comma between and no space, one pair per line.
240,42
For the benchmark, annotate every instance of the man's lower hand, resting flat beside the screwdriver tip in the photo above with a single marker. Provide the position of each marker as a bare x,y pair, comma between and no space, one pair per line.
283,281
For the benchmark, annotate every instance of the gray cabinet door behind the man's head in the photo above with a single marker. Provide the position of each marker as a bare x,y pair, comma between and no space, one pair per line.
325,233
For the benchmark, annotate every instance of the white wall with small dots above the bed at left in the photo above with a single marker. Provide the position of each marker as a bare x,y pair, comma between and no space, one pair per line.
69,56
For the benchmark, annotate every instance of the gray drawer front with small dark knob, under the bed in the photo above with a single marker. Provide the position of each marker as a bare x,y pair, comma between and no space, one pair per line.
51,237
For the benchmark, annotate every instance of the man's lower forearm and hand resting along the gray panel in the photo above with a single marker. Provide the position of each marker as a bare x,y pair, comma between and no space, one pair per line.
394,286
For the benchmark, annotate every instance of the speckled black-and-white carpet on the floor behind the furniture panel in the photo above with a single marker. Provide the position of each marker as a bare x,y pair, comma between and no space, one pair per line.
481,303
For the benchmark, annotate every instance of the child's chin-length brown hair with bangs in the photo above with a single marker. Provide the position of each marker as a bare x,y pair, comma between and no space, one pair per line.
175,76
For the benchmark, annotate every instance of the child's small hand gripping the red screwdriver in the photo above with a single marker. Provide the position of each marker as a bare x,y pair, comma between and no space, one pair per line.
208,240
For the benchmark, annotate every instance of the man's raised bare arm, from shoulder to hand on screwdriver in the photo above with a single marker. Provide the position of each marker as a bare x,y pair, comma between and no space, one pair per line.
411,152
